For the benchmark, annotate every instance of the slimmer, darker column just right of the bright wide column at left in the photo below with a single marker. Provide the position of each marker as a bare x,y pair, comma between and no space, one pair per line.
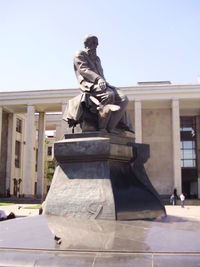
41,148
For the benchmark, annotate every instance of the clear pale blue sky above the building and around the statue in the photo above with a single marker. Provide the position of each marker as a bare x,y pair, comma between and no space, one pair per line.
139,40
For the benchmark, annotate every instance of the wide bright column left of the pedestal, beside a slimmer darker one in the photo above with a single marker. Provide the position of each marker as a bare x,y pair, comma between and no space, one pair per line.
29,157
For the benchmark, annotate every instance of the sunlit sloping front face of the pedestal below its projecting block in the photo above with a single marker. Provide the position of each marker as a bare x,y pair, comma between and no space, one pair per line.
77,191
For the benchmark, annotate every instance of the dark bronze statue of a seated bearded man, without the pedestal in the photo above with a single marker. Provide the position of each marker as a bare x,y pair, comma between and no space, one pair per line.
99,104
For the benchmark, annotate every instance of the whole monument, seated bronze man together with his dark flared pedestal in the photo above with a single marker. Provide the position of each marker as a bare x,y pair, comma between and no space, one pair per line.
98,177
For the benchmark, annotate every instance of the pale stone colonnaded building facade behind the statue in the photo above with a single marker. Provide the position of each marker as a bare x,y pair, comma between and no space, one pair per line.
155,111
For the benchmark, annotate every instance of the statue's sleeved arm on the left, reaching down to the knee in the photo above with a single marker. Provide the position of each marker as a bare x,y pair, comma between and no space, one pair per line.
84,68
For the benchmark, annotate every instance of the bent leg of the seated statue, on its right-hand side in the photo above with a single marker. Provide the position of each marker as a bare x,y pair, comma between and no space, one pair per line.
122,101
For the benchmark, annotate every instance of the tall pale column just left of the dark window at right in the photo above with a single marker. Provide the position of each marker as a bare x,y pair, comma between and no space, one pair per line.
176,145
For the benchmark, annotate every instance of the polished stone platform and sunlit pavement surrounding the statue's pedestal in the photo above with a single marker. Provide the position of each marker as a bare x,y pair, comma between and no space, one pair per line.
173,241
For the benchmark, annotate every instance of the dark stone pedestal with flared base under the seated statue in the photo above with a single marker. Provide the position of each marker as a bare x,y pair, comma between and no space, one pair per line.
95,179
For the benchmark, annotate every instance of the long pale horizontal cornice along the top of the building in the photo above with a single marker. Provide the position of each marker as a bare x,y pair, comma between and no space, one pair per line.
52,99
